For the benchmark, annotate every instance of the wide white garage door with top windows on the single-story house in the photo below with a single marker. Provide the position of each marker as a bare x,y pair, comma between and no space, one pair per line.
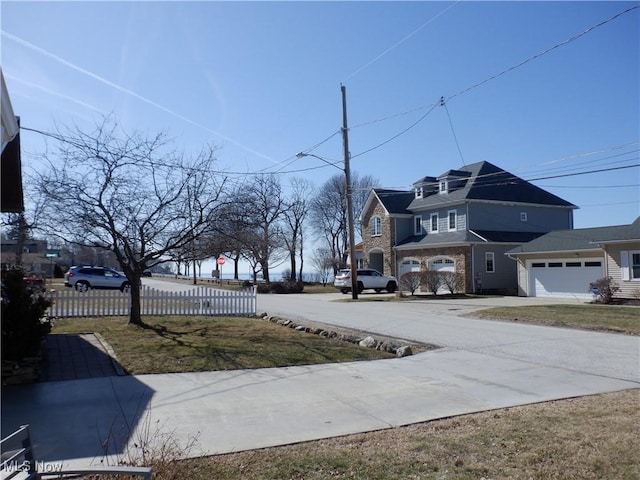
564,278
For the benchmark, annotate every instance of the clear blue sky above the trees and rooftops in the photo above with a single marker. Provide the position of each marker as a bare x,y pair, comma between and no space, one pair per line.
262,80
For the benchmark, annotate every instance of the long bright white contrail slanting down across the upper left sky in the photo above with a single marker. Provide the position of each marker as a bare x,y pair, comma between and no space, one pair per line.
122,89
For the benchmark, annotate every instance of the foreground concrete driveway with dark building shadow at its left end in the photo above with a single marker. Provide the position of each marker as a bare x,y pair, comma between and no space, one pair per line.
79,421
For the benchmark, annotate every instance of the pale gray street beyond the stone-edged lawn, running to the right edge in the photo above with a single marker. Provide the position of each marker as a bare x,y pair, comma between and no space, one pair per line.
438,321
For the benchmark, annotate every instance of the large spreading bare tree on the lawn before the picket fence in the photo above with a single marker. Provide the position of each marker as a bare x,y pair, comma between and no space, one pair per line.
129,194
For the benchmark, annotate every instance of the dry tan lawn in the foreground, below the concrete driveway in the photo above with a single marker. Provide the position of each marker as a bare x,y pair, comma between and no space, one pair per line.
585,438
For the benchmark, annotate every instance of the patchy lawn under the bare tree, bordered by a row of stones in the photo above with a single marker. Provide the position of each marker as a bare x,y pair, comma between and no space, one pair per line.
174,344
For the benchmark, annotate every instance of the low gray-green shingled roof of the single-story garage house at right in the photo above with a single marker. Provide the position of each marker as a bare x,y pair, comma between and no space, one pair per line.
579,239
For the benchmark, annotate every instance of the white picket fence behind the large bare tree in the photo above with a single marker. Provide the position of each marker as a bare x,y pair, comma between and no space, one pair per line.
197,301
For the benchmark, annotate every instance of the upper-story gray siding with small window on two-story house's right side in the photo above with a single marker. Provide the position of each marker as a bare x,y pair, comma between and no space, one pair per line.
507,218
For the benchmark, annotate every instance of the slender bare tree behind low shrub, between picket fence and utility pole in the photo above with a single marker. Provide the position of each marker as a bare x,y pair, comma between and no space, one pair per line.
295,216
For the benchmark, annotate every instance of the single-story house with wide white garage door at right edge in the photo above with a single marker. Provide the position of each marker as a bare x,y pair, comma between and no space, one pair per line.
563,263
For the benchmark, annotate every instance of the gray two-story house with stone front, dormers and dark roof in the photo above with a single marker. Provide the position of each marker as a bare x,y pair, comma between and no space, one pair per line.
464,221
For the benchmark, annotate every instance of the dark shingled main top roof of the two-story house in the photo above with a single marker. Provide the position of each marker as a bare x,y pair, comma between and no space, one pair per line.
485,181
